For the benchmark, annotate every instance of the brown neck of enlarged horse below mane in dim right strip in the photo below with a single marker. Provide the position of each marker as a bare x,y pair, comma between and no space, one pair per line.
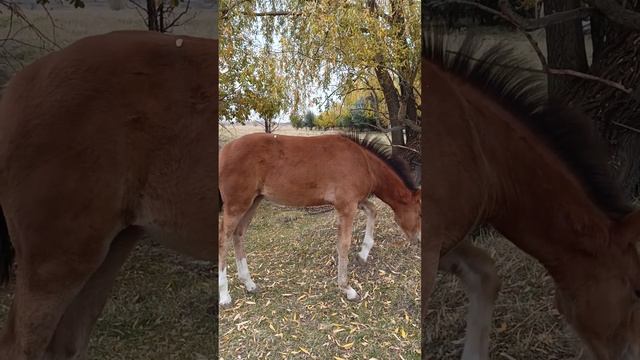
537,202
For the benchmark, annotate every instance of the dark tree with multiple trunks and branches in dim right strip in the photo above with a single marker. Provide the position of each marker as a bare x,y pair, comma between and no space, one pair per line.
608,89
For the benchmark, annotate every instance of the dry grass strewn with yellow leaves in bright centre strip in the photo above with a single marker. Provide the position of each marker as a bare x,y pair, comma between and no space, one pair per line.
299,312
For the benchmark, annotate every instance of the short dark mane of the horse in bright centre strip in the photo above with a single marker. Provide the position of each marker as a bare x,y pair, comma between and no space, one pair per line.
383,151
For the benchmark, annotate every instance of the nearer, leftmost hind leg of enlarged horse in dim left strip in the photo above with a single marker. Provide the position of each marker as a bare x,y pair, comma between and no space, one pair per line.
50,277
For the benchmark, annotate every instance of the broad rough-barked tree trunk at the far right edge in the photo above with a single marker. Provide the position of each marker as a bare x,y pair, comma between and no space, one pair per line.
615,57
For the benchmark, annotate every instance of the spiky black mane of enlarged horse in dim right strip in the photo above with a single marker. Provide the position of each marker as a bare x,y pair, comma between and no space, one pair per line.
502,74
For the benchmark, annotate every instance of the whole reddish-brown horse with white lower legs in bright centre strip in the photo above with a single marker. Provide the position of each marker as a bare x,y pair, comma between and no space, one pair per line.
339,170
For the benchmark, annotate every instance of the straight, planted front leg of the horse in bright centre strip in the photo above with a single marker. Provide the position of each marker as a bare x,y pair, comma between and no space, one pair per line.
346,215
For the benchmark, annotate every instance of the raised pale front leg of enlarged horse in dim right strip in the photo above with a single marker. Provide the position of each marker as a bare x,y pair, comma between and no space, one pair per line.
477,271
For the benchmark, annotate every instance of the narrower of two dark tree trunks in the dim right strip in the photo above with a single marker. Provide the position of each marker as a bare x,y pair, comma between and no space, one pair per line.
565,47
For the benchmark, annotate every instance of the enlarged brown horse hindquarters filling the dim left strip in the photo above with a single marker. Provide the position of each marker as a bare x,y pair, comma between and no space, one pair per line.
101,143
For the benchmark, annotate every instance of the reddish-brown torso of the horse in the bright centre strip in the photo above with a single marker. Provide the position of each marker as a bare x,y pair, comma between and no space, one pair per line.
293,170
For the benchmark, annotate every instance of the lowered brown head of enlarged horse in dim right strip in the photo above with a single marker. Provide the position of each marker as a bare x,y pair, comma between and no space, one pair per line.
603,305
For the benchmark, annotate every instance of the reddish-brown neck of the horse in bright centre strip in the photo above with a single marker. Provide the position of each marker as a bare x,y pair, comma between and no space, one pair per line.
388,186
